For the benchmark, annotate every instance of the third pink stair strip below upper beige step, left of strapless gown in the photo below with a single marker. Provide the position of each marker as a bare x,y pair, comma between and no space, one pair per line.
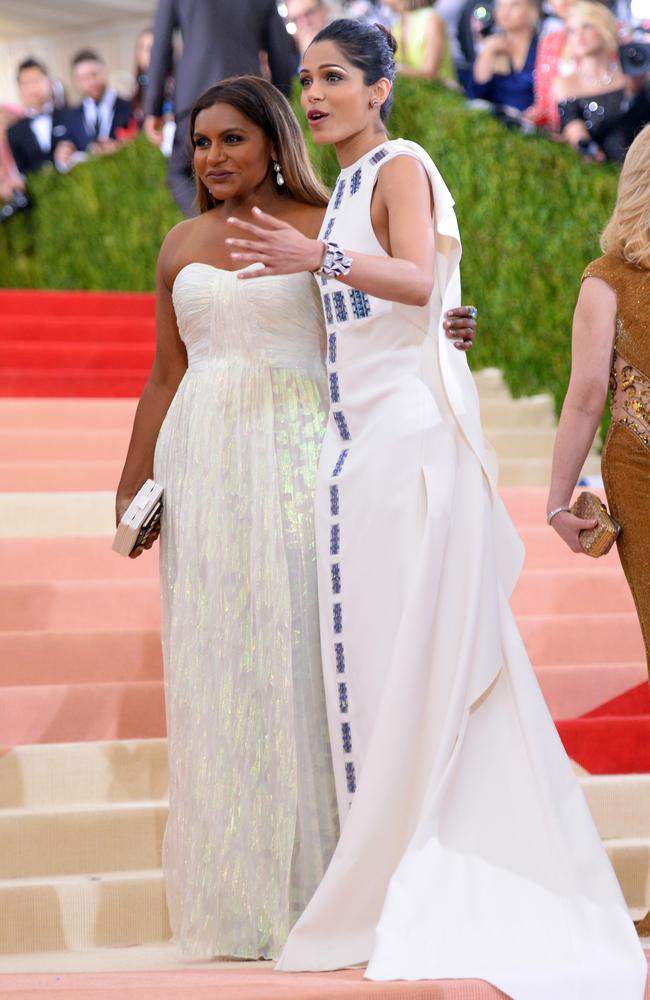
74,656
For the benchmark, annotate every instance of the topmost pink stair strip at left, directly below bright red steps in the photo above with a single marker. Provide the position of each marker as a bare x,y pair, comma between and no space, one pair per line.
66,414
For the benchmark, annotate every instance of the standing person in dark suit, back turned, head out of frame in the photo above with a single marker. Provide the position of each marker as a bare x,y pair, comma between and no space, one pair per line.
220,38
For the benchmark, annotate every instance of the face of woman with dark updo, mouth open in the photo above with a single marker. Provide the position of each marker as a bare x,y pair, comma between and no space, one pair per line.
335,97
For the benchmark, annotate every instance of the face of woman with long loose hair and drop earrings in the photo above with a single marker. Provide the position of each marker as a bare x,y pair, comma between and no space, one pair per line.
232,156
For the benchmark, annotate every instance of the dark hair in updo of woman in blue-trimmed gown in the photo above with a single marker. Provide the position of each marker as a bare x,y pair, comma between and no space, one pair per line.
369,47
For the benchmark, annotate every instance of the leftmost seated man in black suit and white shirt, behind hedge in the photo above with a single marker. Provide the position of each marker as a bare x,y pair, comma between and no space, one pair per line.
34,138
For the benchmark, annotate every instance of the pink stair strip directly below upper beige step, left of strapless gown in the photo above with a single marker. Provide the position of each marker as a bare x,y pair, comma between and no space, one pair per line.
24,560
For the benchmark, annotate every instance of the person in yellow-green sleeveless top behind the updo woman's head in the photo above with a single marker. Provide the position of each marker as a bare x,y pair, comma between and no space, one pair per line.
421,36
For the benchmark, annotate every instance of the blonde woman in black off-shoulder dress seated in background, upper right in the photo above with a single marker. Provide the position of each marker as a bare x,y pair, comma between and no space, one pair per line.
590,100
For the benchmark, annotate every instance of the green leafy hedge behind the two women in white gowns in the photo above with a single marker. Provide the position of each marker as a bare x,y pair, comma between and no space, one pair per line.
529,211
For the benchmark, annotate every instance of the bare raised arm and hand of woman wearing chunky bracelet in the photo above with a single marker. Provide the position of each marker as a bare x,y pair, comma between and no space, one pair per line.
406,276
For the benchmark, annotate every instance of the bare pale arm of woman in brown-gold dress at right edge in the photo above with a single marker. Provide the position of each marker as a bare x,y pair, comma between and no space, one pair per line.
594,325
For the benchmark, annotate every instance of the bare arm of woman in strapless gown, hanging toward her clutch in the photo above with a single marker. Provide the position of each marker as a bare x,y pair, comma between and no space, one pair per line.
169,366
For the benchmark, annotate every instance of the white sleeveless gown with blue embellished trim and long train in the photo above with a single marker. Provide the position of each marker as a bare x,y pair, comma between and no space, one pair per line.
468,850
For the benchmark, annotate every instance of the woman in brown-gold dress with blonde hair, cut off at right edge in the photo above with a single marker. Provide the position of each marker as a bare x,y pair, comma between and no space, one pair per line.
611,346
